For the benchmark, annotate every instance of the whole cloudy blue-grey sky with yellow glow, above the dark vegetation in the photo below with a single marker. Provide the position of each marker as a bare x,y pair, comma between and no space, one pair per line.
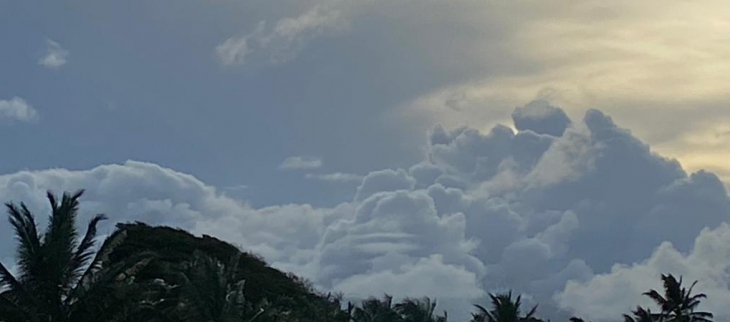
571,151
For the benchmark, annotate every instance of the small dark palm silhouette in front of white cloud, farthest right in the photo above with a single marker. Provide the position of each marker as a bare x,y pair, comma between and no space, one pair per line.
678,304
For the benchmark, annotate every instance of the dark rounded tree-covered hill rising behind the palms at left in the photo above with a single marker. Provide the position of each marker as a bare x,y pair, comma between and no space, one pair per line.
174,246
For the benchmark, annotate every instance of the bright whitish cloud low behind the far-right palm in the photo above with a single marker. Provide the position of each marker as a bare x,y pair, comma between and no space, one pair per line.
604,296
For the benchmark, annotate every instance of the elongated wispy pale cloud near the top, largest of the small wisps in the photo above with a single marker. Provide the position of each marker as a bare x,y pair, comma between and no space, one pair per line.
282,42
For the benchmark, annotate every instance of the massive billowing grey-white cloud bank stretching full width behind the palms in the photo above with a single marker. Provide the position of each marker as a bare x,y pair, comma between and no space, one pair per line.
563,212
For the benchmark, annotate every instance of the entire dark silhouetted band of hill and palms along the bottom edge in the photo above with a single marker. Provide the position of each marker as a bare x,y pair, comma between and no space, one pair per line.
143,273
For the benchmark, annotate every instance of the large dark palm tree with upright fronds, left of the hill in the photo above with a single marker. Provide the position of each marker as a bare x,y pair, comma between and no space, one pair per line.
60,278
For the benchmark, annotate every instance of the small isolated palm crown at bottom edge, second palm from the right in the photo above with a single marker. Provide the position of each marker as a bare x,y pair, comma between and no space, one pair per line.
504,309
